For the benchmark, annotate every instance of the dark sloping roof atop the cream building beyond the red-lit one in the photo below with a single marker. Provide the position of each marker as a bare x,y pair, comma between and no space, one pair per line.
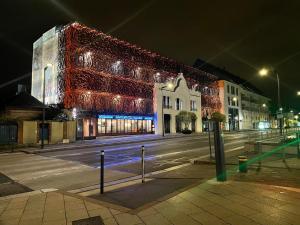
223,74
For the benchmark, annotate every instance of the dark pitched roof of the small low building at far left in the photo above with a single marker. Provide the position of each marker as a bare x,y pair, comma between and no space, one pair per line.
23,100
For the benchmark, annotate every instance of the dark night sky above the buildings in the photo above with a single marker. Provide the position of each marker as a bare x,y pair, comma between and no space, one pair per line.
240,35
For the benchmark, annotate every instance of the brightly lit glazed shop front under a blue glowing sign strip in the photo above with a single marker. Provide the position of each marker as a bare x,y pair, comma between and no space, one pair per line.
121,124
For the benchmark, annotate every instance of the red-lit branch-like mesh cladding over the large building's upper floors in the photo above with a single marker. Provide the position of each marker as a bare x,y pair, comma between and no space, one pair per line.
95,68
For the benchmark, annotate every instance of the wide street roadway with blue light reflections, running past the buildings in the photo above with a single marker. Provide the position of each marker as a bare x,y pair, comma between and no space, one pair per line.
78,168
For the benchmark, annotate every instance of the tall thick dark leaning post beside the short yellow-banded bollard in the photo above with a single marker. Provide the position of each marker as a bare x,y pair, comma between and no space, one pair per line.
219,152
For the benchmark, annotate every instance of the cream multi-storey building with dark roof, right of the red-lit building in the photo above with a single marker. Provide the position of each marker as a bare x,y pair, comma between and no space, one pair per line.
243,104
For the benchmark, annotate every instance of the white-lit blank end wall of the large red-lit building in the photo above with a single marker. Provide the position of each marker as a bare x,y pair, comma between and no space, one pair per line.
45,64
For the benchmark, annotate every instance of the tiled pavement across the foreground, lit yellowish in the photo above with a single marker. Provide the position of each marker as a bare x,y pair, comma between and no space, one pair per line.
236,203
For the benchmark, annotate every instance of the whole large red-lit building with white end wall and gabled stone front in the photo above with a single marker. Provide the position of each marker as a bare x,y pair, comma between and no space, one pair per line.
114,87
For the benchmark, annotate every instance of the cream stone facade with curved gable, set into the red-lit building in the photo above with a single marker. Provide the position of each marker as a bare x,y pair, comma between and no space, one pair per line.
177,89
